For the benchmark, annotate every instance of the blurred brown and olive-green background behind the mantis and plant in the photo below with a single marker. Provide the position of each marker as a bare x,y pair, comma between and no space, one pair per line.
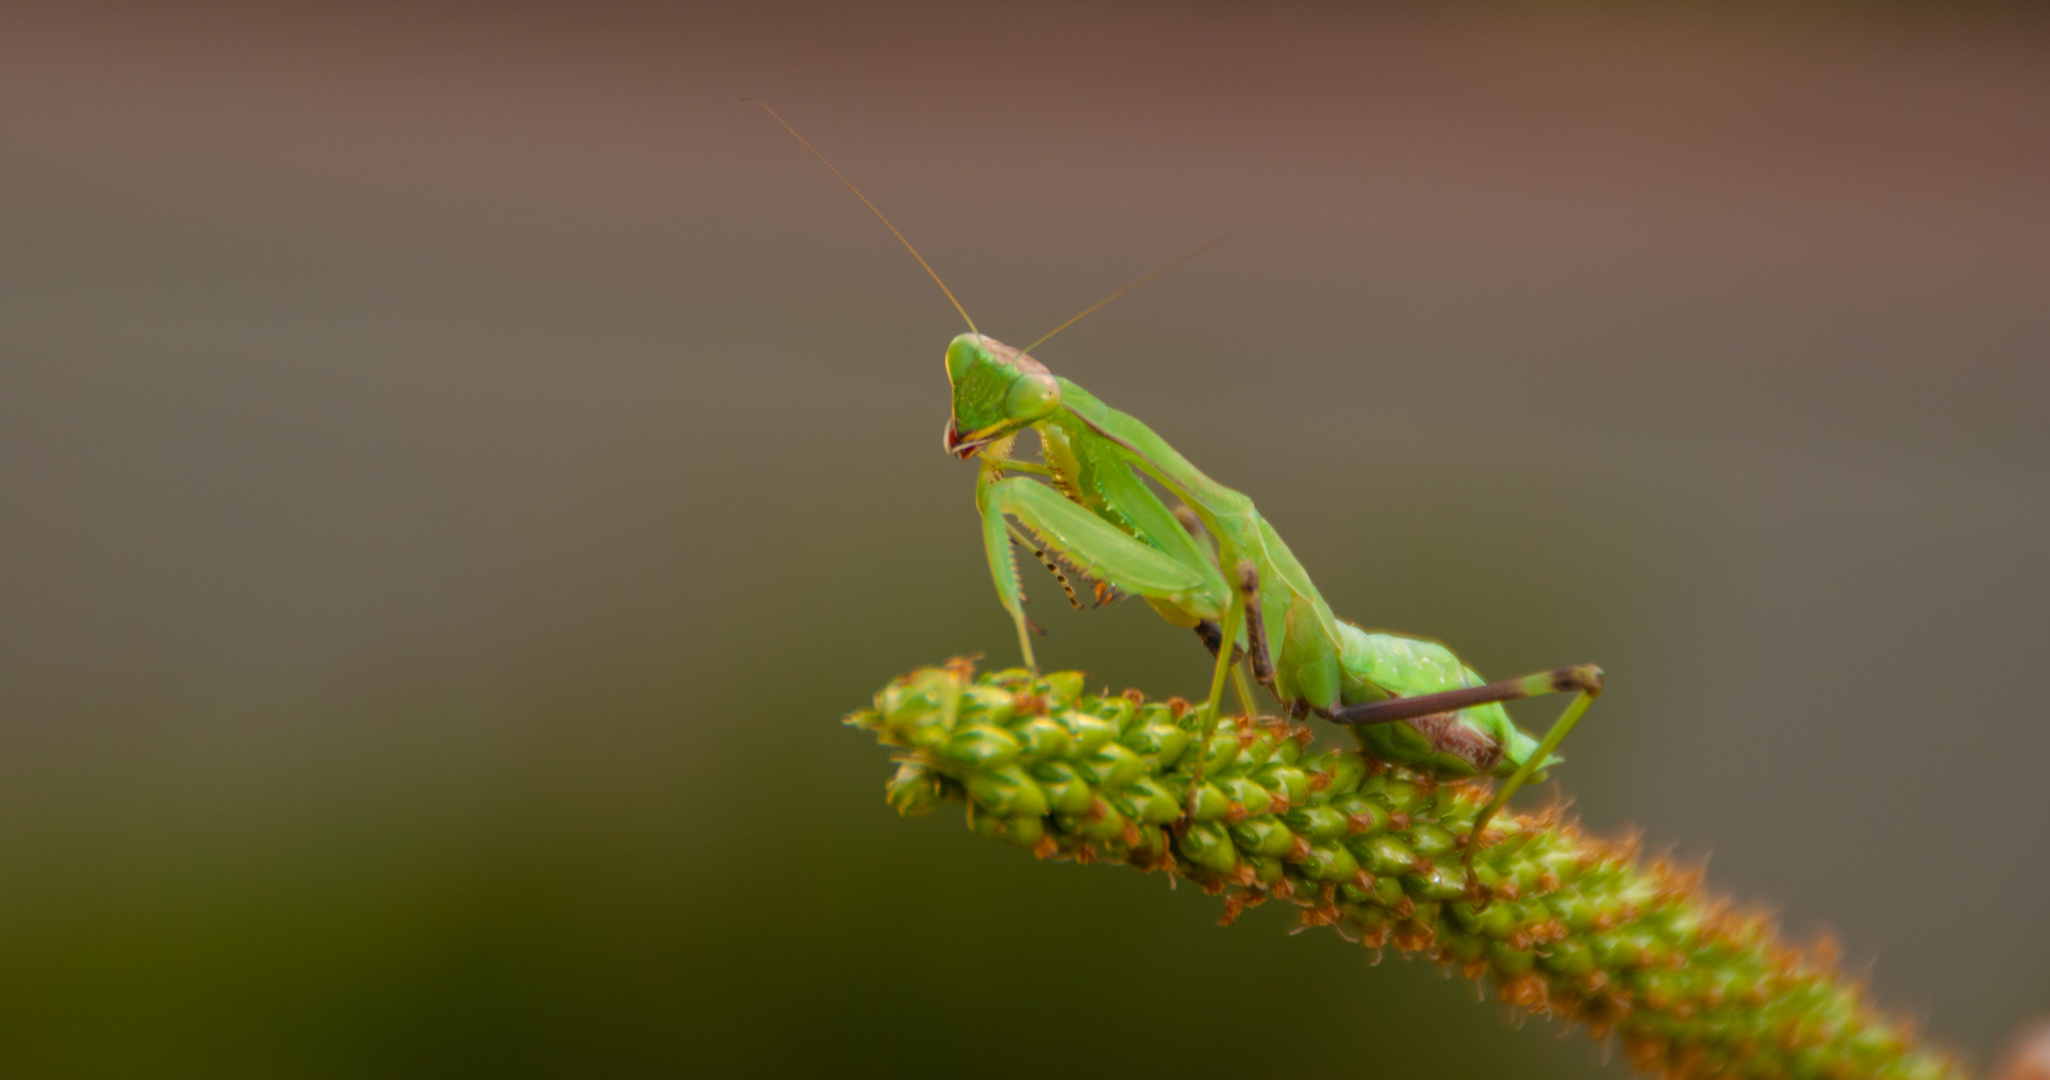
458,464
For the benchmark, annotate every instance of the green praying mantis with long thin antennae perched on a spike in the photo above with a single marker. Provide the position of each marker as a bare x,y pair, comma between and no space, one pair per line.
1213,565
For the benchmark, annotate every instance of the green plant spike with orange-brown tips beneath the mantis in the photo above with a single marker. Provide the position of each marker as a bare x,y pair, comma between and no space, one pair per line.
1557,921
